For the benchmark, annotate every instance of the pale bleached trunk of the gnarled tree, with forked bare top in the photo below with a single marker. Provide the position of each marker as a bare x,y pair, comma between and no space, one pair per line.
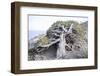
61,51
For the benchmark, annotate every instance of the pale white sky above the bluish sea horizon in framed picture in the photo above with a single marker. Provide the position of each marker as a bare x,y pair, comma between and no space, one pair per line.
42,23
